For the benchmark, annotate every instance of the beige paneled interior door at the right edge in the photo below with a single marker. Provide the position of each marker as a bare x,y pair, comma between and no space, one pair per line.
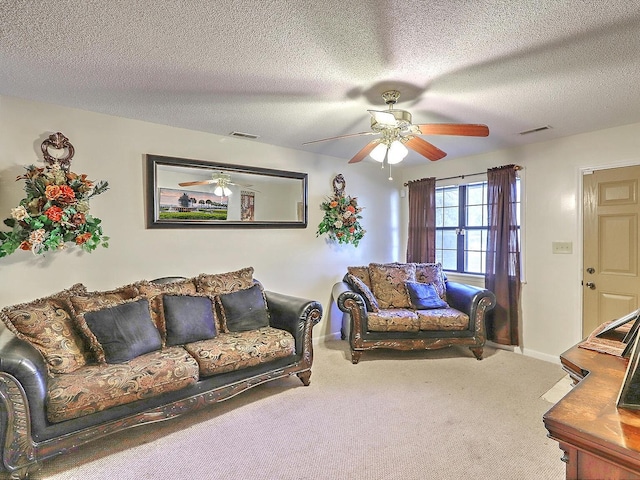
610,265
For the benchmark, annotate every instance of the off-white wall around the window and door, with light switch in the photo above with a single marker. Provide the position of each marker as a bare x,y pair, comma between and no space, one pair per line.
552,294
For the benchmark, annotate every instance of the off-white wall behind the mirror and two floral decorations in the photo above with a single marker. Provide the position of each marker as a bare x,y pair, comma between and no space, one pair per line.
291,261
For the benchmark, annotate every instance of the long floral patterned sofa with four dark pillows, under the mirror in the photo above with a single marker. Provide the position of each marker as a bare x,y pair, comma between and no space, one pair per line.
79,365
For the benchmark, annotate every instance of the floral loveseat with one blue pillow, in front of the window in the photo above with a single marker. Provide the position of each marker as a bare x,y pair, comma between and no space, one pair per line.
410,306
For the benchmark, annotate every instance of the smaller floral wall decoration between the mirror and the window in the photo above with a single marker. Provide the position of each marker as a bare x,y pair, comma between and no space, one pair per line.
341,215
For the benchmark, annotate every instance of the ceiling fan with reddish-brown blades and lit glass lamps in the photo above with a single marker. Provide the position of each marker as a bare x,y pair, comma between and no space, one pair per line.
397,133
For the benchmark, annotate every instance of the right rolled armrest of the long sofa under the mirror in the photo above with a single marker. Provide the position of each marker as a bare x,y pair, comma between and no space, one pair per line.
294,315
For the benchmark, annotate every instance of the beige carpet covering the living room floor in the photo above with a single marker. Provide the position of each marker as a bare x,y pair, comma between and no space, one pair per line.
395,415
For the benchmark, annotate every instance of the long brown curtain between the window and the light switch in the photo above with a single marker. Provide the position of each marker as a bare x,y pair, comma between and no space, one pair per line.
503,256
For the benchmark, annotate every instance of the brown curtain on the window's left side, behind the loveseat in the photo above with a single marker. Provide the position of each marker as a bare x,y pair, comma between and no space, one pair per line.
421,245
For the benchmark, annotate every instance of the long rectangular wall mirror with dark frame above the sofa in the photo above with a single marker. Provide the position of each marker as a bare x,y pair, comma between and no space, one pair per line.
183,193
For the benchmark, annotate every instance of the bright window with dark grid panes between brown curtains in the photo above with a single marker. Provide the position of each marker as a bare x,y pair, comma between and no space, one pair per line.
461,226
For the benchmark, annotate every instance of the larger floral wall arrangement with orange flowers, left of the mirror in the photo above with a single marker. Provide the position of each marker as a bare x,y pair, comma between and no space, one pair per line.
55,211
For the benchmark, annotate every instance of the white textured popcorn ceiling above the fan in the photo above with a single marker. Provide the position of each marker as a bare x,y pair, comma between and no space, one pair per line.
292,71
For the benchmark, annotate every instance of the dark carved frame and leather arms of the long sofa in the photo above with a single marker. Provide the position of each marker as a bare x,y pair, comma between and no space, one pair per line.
23,377
